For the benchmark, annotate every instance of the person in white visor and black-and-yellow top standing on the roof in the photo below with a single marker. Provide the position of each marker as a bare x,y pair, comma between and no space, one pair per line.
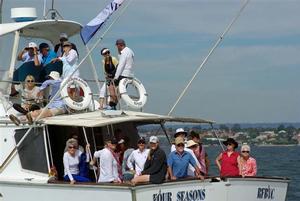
109,67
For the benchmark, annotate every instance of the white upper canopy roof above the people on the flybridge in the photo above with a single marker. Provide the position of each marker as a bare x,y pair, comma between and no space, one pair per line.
45,29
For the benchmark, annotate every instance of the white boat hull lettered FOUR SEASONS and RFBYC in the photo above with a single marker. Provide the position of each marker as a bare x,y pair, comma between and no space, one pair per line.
233,189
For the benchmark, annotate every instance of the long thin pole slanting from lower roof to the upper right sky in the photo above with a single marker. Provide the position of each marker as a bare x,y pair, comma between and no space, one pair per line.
209,53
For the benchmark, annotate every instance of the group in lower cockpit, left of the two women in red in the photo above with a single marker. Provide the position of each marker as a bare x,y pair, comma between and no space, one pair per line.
118,163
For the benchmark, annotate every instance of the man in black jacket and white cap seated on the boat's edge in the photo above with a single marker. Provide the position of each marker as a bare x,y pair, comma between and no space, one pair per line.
155,167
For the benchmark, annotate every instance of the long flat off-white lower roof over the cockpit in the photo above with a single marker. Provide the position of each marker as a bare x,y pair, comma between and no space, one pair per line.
102,118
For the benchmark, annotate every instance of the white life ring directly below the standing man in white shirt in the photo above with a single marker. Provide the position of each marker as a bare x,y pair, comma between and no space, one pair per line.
136,104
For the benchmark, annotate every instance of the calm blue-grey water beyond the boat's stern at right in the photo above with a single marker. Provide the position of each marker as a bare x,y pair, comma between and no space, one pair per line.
272,161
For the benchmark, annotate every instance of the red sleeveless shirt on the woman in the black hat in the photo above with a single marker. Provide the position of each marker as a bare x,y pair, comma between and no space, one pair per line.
229,164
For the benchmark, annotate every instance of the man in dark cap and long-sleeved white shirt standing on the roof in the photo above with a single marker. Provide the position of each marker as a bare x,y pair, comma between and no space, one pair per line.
126,61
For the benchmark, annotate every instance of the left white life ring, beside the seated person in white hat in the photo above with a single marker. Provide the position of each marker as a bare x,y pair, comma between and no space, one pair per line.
86,99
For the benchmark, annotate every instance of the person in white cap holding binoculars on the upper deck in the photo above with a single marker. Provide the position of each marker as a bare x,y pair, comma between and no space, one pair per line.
30,53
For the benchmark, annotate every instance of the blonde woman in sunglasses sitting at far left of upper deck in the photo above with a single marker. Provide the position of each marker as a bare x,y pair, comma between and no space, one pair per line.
30,99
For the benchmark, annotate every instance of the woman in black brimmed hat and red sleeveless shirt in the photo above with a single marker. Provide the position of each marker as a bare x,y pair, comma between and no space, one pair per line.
228,161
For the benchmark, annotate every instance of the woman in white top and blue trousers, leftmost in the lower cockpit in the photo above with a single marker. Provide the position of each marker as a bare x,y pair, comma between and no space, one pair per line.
71,160
